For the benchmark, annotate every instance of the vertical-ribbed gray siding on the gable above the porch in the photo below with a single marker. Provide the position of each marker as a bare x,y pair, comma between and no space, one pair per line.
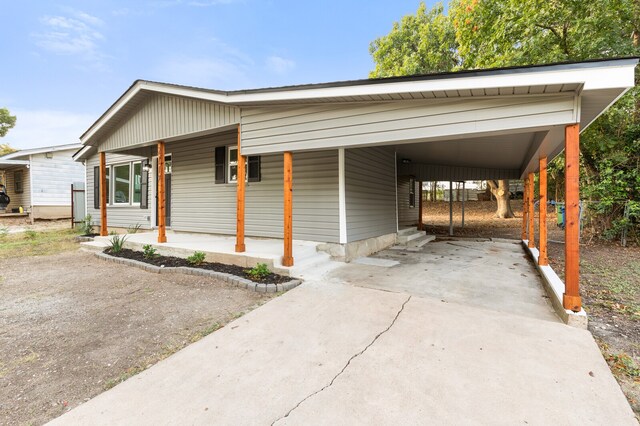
163,116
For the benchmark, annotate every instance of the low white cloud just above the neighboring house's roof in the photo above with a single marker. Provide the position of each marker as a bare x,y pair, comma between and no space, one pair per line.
37,128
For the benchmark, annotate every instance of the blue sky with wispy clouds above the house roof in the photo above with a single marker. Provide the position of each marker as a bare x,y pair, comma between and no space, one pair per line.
64,63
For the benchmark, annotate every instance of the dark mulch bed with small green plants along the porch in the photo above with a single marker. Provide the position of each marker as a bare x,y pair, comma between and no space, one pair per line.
172,261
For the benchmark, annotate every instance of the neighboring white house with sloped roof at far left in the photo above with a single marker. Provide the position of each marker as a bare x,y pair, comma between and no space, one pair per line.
39,180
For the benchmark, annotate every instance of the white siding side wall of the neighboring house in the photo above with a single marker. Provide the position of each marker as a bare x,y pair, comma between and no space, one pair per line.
53,176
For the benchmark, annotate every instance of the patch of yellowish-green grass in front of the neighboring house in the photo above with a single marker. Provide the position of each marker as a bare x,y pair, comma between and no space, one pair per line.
42,243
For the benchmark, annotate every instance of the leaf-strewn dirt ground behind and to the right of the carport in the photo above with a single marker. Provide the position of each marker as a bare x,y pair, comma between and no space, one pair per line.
609,276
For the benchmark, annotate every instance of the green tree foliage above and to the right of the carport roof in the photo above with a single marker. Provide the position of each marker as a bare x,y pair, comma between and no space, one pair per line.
500,33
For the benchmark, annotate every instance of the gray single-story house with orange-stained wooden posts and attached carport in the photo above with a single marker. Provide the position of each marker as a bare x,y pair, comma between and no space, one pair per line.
338,163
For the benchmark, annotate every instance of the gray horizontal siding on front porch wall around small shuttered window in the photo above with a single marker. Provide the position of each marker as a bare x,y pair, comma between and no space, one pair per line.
200,205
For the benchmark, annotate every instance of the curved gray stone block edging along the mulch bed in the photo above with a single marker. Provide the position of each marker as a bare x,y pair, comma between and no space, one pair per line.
231,279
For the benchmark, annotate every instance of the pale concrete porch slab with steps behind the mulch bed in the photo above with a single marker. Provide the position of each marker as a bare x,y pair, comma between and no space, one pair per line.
220,248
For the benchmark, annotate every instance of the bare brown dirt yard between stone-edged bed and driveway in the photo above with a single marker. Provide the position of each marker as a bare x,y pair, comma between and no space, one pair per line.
72,326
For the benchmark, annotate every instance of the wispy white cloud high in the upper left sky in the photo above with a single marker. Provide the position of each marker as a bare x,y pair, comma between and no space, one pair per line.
77,34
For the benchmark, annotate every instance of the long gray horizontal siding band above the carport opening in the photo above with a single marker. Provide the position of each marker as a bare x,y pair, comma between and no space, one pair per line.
304,127
